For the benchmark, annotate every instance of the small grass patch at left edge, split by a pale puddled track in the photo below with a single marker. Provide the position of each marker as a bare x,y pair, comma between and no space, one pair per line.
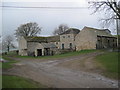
7,65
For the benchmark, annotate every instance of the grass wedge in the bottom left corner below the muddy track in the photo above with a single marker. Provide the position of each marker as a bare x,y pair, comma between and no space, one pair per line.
19,82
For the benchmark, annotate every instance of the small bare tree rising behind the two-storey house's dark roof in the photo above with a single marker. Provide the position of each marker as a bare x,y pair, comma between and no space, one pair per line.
61,28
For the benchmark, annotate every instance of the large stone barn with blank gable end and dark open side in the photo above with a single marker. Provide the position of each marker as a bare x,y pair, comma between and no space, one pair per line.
91,38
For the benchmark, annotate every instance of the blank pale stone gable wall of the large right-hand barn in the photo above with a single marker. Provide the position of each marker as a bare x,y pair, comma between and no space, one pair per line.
85,40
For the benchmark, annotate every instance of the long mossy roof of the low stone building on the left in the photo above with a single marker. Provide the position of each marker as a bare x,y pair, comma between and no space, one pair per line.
43,39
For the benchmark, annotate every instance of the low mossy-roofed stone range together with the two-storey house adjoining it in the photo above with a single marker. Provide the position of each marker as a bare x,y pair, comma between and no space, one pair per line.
42,46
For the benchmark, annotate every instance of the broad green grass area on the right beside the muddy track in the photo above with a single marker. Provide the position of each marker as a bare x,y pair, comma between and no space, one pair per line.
109,63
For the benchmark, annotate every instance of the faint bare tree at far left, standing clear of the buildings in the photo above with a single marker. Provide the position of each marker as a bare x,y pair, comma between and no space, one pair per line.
7,43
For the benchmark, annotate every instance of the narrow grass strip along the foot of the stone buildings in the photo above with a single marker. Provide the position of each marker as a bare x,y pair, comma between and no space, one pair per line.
69,54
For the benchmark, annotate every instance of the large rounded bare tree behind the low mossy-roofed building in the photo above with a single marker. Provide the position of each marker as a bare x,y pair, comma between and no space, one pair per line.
28,29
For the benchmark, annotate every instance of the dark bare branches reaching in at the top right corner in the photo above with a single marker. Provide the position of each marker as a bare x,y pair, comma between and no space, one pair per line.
109,7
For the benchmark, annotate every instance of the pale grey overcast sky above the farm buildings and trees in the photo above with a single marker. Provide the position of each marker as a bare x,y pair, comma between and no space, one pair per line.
47,18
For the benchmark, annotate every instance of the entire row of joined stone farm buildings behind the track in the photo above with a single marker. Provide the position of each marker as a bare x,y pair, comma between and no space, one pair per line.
71,40
